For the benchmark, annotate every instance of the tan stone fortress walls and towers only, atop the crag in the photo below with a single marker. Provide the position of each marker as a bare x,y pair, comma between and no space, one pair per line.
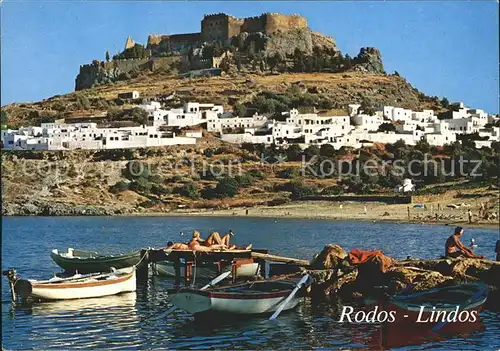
222,27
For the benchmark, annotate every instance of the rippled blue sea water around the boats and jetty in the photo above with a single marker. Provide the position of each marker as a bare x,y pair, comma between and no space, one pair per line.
128,321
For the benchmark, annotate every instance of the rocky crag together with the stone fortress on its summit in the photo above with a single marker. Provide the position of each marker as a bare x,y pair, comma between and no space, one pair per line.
269,42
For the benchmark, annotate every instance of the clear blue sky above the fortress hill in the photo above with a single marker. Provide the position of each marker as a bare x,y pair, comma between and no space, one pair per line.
448,49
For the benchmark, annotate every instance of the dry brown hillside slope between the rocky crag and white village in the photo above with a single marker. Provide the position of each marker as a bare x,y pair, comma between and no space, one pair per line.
338,89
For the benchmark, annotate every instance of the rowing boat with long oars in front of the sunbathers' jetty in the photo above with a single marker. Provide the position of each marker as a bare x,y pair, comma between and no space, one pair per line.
249,298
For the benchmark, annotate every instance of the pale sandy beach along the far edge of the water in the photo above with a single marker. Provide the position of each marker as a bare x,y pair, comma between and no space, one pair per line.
367,211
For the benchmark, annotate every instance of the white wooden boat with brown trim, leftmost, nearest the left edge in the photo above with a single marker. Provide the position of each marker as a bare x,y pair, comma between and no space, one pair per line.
76,287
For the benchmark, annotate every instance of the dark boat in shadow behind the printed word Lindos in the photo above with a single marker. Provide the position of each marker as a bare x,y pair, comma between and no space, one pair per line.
457,303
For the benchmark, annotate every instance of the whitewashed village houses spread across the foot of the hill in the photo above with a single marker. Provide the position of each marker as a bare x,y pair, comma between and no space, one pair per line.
355,130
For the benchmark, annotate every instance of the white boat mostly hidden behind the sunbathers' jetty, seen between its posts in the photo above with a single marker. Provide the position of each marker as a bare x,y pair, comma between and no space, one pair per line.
208,270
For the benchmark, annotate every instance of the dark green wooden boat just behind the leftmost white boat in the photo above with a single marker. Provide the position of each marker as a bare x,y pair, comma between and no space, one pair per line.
93,262
